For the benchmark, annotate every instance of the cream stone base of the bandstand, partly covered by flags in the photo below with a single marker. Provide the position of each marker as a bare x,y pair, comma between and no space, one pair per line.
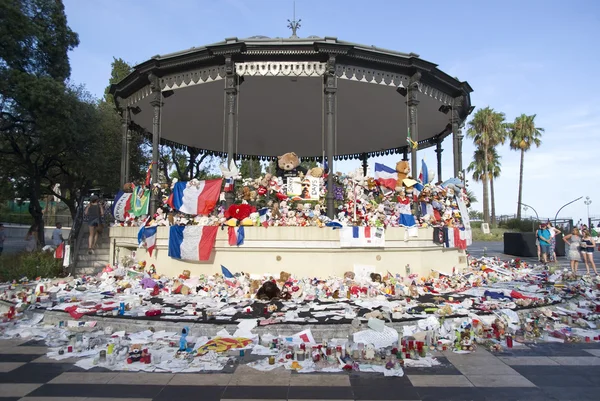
301,251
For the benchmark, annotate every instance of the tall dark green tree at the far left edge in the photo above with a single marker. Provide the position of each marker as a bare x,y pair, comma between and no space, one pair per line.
34,100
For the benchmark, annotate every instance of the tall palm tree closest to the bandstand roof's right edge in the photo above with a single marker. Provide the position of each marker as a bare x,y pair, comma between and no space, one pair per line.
487,129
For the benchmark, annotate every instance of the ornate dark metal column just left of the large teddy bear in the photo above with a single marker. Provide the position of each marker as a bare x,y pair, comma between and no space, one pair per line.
231,118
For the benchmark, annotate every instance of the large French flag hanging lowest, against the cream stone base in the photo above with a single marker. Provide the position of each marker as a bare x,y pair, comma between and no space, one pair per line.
192,243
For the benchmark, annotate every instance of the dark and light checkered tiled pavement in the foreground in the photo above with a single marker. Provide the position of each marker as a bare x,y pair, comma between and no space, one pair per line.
537,372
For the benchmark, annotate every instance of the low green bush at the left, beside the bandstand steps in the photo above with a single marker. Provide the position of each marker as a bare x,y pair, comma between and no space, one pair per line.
30,265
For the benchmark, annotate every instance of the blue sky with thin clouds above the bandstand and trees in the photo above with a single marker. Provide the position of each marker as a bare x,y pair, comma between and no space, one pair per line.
527,56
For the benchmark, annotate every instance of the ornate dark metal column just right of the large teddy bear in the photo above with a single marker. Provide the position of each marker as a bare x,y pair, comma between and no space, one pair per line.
330,100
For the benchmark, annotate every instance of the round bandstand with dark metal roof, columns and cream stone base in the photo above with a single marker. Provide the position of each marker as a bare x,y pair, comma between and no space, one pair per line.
322,98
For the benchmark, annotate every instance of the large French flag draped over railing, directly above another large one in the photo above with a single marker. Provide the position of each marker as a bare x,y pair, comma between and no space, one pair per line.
195,200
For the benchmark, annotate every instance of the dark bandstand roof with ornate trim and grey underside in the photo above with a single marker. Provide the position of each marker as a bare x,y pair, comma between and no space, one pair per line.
281,97
